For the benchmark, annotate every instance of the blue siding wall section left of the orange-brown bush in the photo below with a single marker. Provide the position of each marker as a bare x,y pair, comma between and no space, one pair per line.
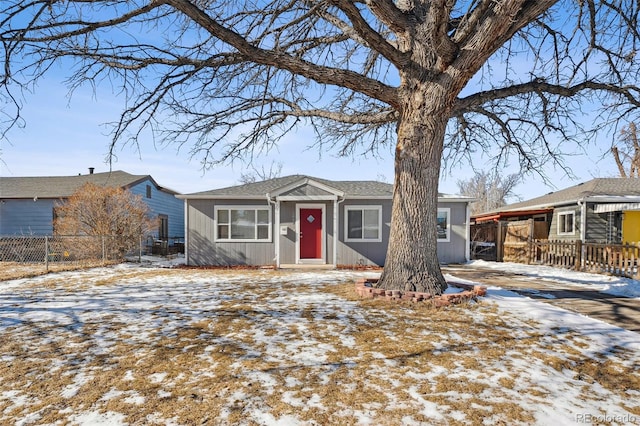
26,217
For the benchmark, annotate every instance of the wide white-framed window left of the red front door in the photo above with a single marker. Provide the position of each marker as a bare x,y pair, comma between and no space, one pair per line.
243,224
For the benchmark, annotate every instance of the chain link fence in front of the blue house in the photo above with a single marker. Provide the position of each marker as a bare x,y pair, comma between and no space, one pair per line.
25,256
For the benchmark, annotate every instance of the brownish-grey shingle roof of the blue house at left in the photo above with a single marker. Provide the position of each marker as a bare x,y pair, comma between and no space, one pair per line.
63,186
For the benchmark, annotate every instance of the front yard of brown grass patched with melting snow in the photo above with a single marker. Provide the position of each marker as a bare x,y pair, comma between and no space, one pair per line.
133,345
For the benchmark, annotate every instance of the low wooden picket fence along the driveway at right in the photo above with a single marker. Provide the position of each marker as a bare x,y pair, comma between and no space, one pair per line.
615,259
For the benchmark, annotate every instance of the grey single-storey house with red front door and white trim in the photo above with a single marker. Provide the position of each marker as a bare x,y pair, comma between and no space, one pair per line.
305,220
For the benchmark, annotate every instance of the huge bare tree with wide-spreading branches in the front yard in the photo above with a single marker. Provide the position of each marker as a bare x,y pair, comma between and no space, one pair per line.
231,77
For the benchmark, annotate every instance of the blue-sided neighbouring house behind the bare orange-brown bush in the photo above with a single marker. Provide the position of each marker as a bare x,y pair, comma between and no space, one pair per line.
27,203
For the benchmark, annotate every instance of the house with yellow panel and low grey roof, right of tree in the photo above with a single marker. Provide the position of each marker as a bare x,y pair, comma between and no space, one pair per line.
601,210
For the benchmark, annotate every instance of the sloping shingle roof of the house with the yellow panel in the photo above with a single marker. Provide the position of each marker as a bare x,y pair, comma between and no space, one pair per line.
600,187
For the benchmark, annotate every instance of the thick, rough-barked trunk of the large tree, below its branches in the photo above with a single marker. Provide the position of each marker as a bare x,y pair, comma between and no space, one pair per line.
412,260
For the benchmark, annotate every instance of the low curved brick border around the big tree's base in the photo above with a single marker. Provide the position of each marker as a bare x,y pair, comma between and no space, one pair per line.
365,289
